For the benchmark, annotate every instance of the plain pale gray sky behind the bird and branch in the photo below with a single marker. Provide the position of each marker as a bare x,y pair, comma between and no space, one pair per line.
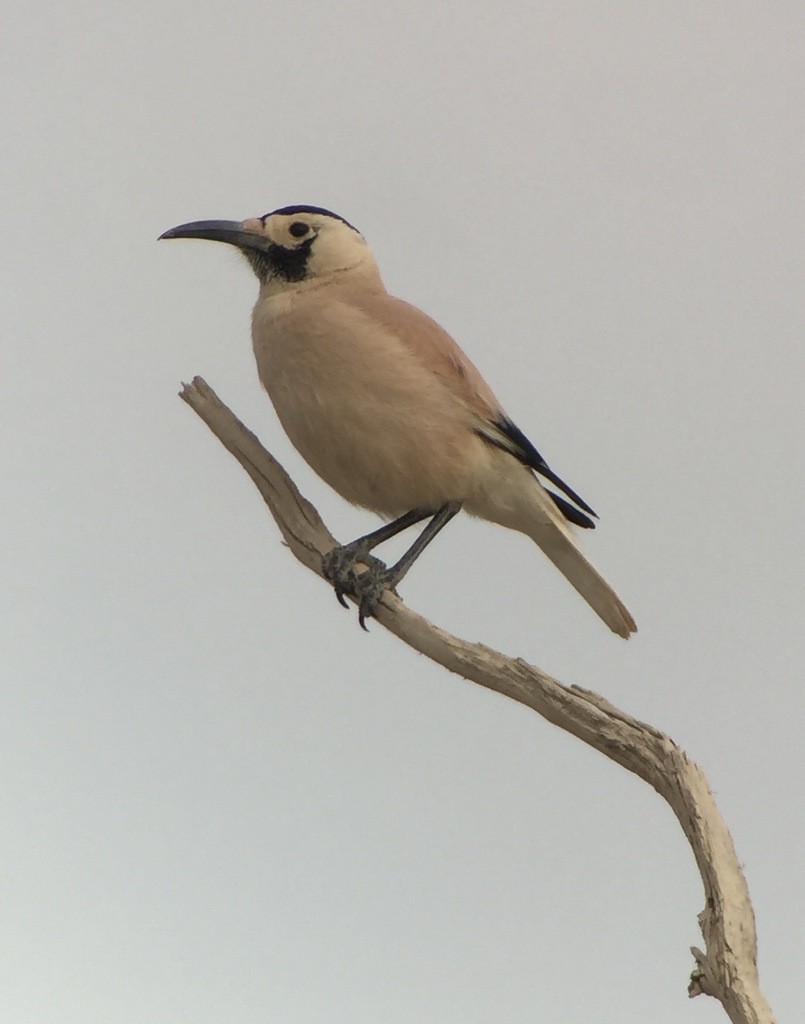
222,802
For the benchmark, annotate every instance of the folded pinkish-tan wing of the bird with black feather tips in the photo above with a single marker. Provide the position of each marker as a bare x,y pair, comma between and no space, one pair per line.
432,345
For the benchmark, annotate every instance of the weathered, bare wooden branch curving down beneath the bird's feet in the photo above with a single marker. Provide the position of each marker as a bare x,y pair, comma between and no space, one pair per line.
728,967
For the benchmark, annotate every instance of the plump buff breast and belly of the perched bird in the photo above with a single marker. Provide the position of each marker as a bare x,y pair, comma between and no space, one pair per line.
373,422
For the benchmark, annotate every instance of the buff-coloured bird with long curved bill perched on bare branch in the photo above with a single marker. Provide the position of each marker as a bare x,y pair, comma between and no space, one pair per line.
389,410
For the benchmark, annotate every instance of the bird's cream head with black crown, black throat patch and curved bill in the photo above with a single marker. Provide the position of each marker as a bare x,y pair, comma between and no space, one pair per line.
288,246
